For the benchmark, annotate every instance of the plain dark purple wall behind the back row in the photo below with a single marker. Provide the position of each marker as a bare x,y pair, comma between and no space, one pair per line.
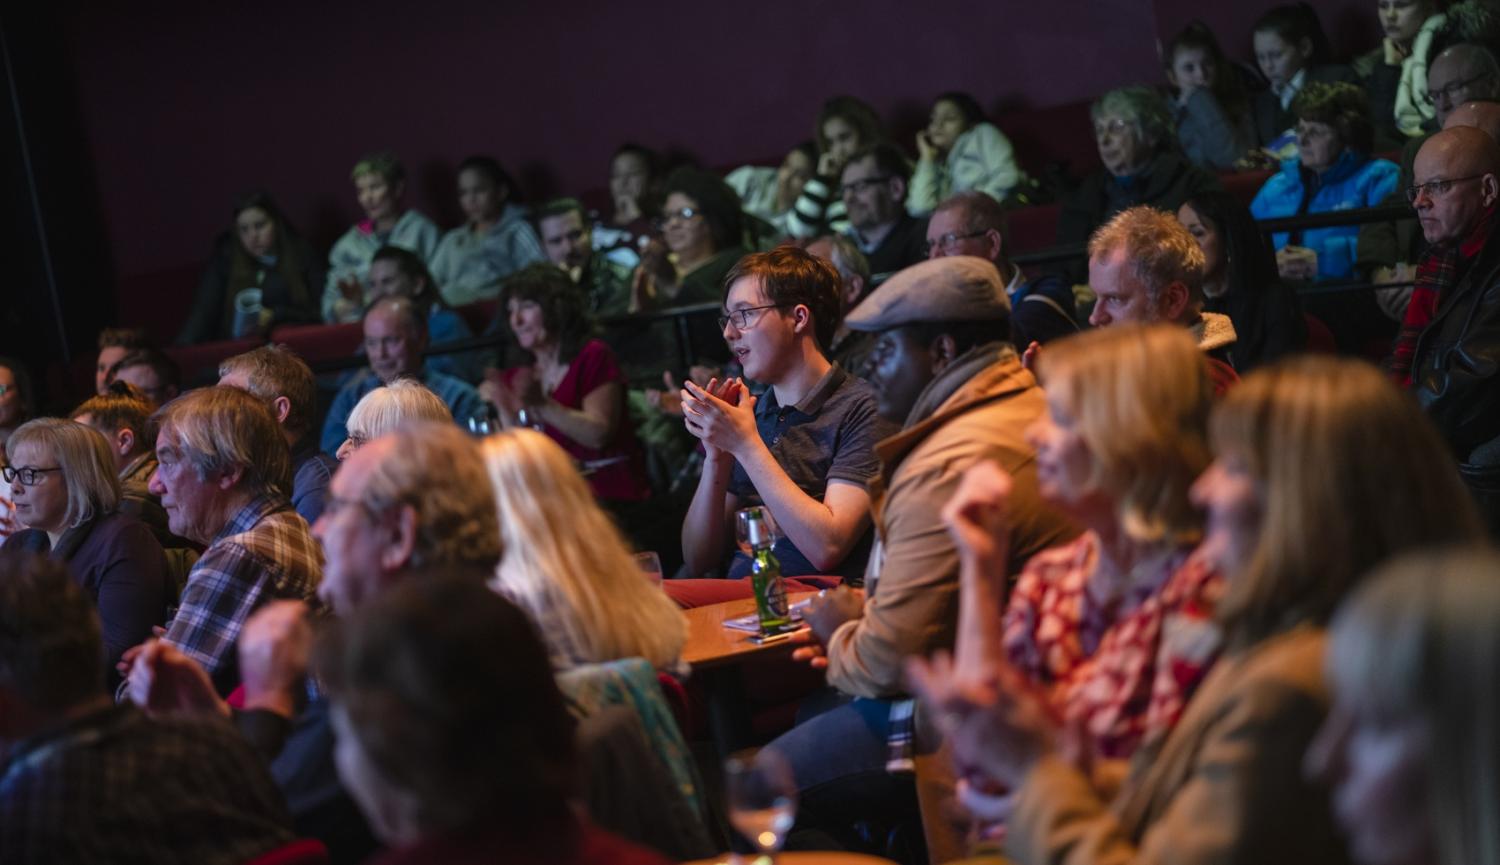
187,104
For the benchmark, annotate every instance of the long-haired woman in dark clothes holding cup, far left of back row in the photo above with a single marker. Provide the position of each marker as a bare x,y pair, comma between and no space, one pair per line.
262,275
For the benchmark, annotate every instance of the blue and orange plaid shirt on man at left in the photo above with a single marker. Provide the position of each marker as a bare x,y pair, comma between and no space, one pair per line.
263,554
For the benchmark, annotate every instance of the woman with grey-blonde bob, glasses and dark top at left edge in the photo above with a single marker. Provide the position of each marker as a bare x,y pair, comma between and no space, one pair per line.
67,497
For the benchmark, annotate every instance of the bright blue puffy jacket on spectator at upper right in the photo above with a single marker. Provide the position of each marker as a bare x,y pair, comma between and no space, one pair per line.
1351,184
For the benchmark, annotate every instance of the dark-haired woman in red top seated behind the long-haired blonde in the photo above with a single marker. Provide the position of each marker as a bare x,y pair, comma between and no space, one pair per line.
574,389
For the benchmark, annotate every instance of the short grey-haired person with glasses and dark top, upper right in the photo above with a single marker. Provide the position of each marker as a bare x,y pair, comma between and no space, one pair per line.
1142,166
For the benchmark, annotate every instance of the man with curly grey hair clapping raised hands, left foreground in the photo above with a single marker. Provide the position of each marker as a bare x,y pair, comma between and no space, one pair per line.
409,504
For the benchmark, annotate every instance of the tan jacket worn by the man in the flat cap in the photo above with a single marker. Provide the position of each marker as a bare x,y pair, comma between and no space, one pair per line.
913,578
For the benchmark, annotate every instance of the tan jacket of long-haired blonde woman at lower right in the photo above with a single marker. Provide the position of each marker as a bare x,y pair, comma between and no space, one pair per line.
1225,788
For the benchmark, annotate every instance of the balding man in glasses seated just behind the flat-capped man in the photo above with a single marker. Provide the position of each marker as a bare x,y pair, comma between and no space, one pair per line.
973,224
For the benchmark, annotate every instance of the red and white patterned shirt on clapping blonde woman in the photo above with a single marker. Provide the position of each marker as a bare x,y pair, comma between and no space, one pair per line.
1124,669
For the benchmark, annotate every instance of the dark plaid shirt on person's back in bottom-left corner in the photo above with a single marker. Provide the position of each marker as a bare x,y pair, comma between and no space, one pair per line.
115,786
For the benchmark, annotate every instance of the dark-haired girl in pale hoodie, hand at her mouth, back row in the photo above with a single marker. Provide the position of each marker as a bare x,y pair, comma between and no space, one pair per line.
961,151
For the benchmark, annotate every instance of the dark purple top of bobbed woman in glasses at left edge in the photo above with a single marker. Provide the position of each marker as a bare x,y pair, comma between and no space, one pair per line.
119,563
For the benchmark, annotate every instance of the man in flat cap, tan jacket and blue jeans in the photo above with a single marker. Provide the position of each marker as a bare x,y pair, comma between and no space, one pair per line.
943,368
